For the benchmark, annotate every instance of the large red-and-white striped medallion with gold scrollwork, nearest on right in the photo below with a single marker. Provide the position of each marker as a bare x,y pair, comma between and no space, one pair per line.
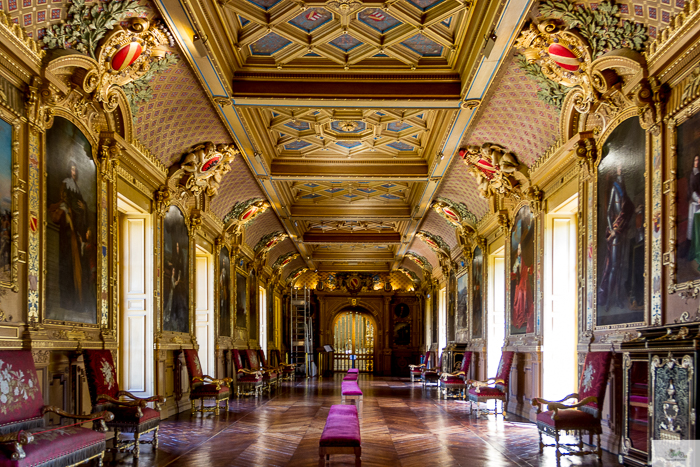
563,56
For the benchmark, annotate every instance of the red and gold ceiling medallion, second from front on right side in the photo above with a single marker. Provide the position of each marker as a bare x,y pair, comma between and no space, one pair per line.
497,171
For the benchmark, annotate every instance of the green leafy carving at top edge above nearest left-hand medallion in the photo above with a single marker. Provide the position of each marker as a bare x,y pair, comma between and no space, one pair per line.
86,25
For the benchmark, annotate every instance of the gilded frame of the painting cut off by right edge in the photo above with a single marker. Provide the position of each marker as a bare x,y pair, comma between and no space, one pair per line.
676,215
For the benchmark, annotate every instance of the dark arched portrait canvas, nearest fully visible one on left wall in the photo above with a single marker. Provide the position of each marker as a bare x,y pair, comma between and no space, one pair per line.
71,230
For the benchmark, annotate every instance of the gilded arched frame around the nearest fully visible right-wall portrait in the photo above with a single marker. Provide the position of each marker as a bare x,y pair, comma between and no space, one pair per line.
593,234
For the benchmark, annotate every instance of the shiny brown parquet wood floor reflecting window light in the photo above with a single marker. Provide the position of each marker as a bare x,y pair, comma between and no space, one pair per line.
402,425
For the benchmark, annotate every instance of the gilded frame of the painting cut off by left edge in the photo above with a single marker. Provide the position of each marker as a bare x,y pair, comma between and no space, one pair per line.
10,127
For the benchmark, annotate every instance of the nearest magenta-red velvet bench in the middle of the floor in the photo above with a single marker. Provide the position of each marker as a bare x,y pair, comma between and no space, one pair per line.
341,435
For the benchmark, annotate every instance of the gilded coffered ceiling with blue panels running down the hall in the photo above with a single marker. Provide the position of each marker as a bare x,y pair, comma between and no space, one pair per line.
348,113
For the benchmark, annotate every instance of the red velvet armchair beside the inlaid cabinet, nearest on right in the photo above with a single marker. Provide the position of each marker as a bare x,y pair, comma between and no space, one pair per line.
583,416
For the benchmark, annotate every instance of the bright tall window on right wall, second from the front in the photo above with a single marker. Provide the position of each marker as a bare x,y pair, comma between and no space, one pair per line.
497,310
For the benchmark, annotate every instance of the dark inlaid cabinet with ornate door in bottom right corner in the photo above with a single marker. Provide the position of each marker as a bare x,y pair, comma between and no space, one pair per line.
660,389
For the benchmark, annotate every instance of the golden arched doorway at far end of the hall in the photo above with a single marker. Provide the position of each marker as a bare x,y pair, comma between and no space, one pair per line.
354,332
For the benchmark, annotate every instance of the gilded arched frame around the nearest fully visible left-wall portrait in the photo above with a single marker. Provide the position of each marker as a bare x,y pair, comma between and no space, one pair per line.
100,205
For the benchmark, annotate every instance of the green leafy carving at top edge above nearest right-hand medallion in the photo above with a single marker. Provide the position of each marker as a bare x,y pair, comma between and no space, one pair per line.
602,27
